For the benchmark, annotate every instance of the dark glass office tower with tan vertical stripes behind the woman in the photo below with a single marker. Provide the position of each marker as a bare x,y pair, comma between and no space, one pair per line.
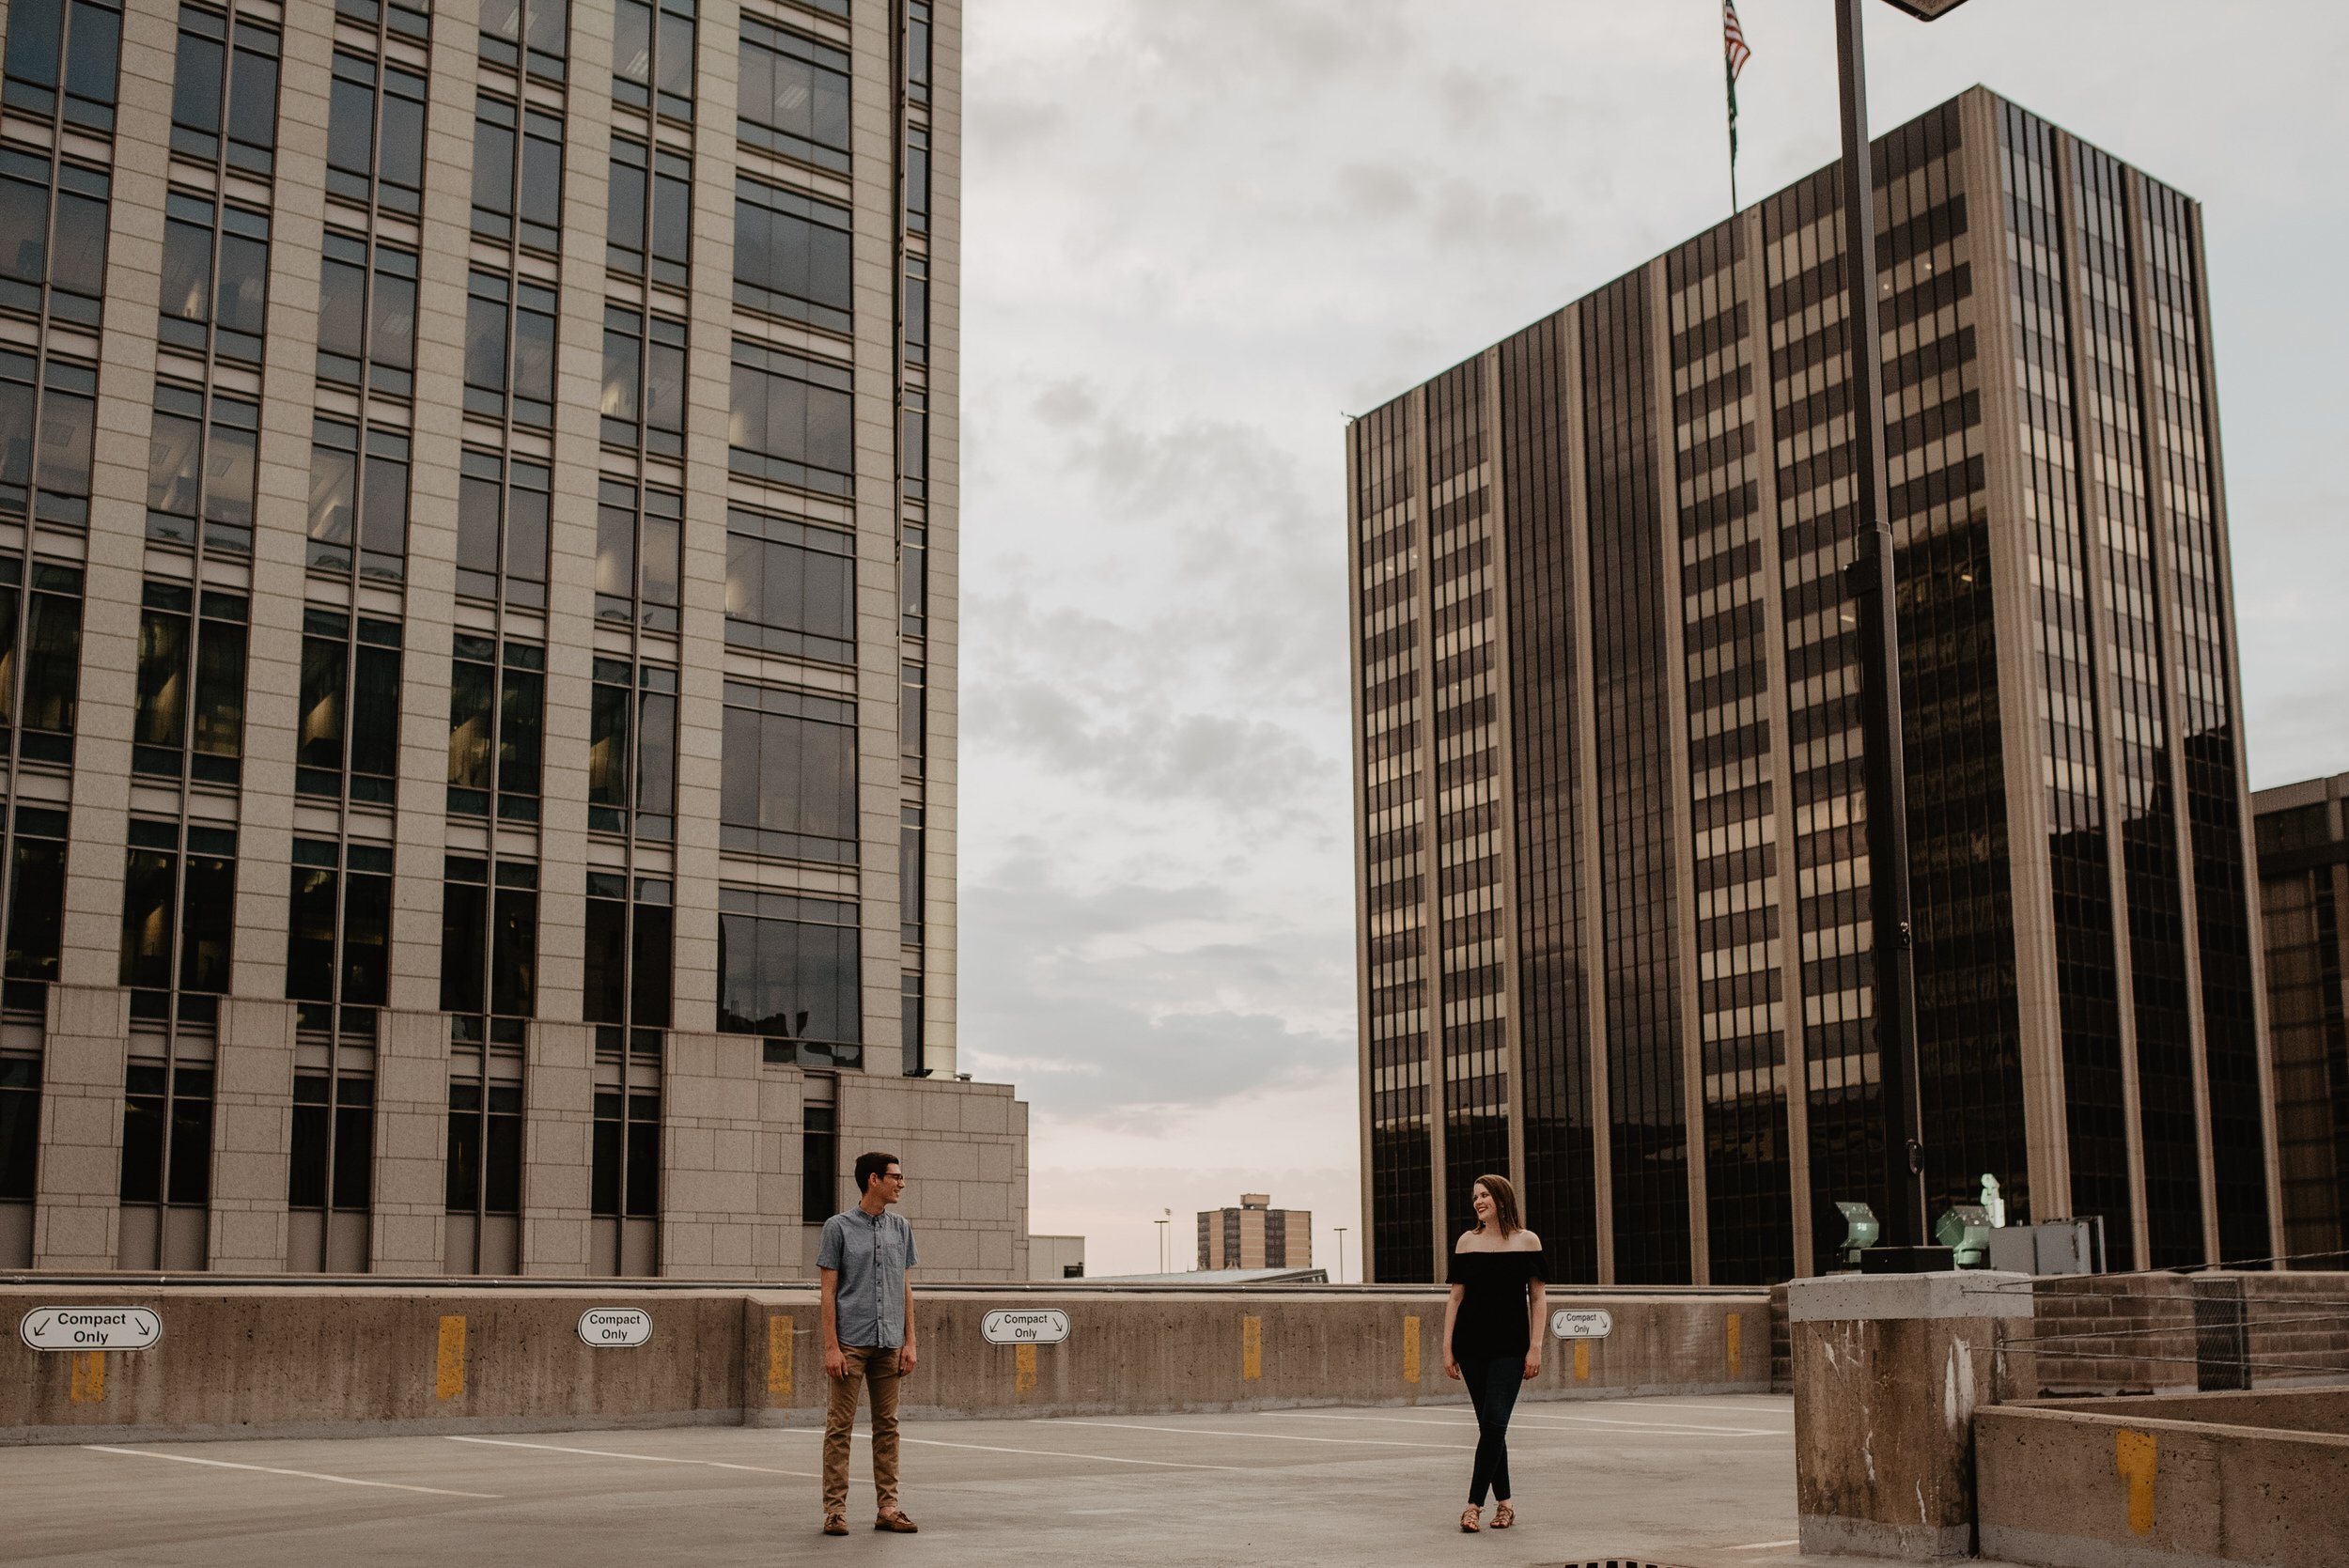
1613,856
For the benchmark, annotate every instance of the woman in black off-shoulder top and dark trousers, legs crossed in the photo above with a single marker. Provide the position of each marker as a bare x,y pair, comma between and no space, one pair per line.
1493,1334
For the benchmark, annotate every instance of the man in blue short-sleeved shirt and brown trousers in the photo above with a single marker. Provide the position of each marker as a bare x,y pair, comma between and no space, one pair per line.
866,1313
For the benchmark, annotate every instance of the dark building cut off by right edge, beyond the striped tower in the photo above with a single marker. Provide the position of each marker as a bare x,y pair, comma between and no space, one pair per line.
2306,926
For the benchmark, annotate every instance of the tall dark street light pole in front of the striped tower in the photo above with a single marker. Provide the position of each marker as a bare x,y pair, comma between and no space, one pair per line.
1871,581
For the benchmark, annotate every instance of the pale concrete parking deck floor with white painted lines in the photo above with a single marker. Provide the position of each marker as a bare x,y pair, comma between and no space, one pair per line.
1688,1482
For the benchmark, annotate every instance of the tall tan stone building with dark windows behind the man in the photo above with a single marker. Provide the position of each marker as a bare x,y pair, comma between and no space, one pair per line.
478,543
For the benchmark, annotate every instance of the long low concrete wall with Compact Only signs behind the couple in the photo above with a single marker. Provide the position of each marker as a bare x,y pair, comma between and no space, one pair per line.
288,1360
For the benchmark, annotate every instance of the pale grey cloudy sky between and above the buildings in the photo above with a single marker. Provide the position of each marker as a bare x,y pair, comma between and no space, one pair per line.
1204,231
